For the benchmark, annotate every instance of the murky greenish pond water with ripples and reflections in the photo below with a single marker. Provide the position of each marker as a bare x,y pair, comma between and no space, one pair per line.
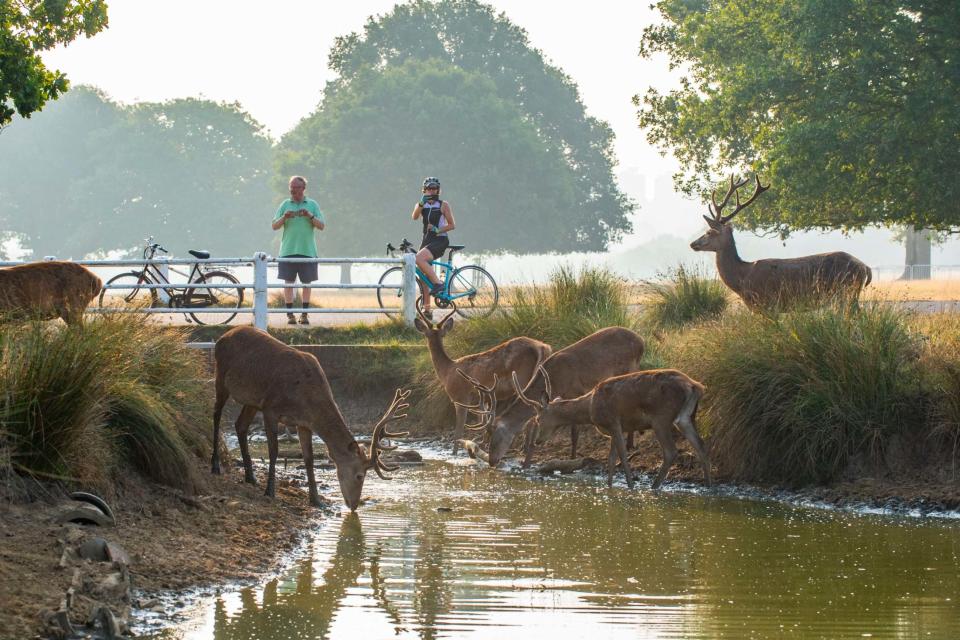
459,552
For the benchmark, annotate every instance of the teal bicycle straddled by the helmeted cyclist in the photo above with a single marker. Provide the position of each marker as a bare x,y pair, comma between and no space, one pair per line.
469,289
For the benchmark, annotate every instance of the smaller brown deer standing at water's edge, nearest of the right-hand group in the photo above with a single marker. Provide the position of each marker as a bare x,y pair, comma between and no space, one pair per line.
634,402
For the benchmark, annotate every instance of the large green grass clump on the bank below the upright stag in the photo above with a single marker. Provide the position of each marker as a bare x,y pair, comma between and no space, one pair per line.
794,398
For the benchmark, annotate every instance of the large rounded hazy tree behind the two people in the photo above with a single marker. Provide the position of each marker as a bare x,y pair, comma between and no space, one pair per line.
451,89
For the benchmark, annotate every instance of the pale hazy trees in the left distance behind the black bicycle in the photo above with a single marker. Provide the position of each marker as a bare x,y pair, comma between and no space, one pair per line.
87,176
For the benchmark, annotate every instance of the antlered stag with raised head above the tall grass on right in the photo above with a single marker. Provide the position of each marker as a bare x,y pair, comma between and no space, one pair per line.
777,283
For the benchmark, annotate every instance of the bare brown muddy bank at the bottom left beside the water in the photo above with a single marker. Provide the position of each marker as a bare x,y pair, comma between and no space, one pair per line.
231,532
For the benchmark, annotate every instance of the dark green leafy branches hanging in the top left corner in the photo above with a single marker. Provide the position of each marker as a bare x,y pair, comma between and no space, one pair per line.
28,27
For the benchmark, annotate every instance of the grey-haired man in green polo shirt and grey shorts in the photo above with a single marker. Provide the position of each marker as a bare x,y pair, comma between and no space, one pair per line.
300,217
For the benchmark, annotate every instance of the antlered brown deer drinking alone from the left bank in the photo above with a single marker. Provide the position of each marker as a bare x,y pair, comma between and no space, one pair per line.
290,386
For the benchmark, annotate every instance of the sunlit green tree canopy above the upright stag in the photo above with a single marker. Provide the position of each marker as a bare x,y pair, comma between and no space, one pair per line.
848,107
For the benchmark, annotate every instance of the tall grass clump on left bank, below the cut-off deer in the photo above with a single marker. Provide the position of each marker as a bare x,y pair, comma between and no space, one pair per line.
87,403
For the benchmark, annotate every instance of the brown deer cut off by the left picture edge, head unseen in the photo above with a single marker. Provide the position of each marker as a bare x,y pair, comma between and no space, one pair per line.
48,290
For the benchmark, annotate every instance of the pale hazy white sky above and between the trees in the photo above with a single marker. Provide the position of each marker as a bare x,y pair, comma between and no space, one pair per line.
272,58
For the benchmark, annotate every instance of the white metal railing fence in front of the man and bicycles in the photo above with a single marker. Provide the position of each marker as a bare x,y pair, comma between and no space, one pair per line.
260,309
